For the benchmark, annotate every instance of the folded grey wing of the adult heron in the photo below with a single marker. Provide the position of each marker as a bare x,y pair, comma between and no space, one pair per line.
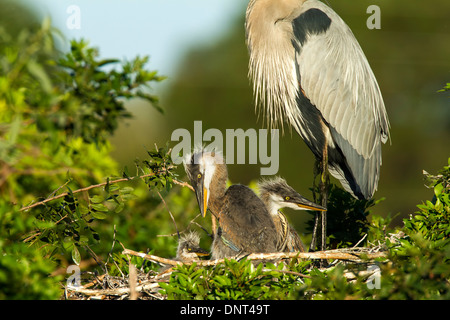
335,77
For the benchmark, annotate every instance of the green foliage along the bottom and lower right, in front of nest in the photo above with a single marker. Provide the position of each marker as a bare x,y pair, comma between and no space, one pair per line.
416,265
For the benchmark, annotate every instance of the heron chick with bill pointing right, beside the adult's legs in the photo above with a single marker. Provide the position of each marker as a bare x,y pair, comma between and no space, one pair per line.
277,194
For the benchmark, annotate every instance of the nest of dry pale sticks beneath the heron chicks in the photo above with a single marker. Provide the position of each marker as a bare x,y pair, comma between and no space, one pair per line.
146,286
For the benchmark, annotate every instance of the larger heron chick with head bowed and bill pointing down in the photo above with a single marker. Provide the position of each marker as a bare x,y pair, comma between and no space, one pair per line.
244,225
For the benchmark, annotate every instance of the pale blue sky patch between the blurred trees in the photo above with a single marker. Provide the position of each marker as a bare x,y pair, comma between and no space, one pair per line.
123,29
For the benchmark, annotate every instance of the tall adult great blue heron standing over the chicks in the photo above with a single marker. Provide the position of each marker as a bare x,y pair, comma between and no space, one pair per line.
308,69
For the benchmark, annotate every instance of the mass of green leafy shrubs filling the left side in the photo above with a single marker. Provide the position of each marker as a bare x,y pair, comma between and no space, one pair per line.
55,117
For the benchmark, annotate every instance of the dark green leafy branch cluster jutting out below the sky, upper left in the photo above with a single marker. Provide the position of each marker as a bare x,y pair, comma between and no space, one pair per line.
97,93
